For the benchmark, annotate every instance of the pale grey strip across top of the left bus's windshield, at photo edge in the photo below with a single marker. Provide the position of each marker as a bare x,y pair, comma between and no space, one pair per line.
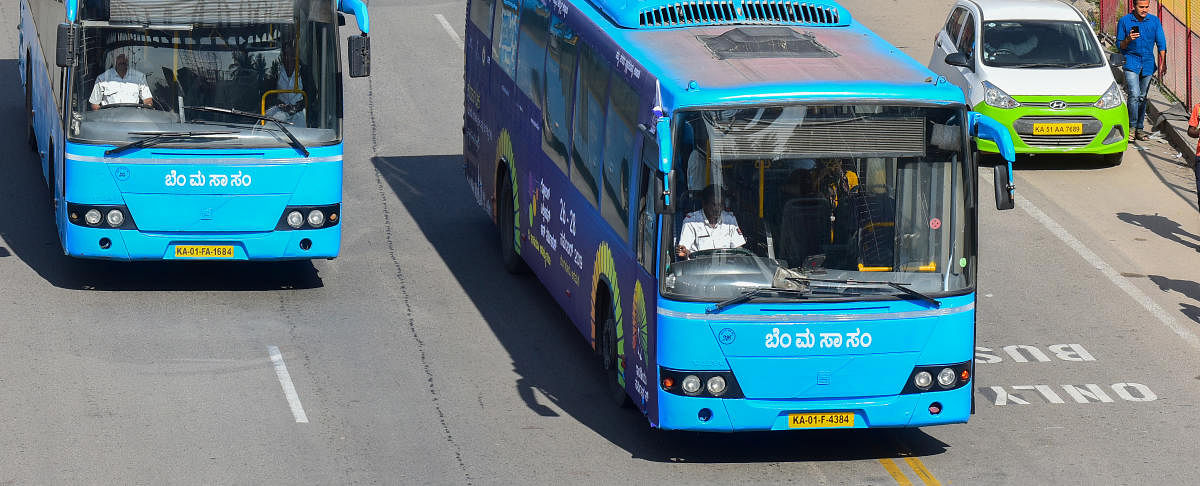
208,13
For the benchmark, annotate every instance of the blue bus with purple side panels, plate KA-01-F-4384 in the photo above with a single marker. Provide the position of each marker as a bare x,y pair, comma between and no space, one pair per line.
838,284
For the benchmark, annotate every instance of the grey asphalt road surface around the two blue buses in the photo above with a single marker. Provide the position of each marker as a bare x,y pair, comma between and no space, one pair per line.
416,359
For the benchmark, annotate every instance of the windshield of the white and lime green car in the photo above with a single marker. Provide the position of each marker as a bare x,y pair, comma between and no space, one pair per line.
1040,44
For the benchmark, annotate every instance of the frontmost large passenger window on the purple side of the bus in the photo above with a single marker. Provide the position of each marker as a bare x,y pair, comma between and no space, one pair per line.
619,153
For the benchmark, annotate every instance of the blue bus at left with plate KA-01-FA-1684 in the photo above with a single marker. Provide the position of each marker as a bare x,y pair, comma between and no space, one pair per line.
190,129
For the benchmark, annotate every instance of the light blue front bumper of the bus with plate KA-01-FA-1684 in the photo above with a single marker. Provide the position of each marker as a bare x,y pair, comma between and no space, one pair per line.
135,245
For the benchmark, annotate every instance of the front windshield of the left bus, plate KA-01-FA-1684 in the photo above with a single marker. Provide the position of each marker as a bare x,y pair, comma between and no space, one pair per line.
139,82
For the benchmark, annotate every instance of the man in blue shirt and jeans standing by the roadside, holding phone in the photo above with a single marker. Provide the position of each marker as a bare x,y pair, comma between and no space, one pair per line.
1138,33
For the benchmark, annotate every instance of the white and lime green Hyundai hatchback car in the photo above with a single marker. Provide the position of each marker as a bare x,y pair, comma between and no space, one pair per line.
1037,68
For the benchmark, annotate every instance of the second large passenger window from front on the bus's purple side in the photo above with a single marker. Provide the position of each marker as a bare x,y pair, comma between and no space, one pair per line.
586,141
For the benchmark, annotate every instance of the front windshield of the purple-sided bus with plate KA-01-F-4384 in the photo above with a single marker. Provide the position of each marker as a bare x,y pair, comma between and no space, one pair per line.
861,193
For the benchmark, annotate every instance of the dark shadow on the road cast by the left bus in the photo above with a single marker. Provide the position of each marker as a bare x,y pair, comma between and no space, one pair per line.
31,236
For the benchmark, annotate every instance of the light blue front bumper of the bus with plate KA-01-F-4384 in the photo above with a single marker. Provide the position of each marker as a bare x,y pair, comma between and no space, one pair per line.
746,415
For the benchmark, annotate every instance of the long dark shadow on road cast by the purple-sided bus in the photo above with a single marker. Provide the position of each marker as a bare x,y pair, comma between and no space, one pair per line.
557,369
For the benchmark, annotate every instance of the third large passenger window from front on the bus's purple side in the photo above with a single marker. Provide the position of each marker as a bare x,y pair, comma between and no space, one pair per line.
560,88
